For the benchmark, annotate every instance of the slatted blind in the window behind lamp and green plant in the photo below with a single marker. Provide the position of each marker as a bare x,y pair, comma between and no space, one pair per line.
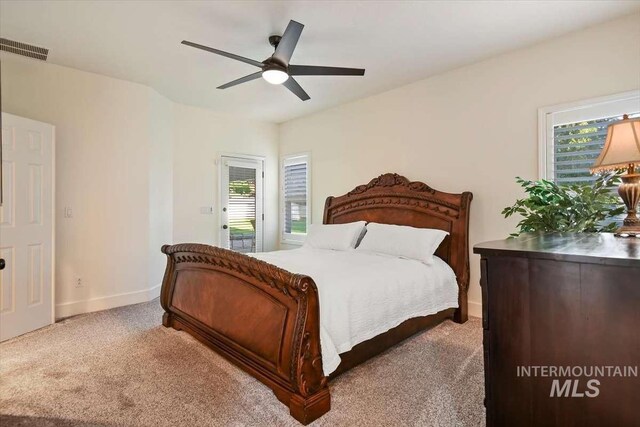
576,146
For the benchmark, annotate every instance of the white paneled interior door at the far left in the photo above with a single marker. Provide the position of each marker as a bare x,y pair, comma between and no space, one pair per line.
26,226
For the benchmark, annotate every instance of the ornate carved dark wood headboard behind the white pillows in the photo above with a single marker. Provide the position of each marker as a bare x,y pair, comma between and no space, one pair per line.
393,199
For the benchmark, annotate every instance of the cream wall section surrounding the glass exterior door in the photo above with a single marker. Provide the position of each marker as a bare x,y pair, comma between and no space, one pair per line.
201,137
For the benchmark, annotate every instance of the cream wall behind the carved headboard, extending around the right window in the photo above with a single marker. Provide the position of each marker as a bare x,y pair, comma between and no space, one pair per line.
473,128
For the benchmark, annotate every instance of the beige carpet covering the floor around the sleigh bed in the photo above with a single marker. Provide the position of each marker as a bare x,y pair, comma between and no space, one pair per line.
120,367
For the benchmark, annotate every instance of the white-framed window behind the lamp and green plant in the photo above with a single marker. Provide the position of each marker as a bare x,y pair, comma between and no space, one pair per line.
572,135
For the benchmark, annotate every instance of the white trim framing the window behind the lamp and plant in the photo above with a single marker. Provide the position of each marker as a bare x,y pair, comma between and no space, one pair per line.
569,112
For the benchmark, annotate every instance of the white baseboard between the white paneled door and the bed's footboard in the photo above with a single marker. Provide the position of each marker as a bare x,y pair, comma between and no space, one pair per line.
67,309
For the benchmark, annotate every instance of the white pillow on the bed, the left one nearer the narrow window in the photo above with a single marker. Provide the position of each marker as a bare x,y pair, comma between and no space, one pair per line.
339,237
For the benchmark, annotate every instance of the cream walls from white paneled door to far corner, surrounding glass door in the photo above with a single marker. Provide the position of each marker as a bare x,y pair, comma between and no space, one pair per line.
135,168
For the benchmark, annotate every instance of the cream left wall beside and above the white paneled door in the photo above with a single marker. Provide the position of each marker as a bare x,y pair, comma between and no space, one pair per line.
105,149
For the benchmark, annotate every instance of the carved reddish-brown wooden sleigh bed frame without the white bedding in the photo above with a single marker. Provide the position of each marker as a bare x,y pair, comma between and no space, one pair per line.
266,319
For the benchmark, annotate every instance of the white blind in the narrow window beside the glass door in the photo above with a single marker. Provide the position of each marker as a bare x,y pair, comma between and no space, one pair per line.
295,197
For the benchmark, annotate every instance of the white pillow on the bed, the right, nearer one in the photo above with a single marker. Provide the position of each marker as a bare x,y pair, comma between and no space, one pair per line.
402,241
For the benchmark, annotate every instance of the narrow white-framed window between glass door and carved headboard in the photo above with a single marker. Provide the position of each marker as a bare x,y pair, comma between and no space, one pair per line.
295,199
